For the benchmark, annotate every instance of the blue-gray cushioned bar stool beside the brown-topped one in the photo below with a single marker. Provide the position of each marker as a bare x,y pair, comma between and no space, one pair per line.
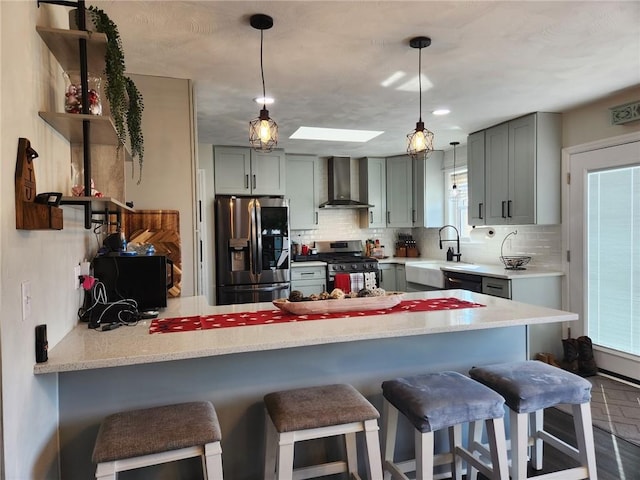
434,402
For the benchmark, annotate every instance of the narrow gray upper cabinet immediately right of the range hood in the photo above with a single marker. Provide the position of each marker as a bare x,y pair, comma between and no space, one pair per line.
373,190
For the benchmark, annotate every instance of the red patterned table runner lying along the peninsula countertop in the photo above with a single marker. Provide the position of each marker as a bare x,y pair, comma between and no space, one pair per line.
261,317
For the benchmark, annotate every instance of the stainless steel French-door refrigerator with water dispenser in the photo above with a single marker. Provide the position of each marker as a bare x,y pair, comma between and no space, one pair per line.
252,249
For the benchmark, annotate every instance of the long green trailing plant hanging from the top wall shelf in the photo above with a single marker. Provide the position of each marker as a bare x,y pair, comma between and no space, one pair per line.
125,101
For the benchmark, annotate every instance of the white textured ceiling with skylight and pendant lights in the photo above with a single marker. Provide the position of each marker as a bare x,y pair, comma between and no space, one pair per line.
325,61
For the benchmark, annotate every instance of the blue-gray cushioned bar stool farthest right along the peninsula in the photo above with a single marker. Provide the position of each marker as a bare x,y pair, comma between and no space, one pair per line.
528,388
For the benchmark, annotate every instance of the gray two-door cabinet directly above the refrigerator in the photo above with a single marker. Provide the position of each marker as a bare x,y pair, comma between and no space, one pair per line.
243,171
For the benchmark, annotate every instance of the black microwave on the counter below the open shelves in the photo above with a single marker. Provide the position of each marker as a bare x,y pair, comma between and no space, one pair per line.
143,278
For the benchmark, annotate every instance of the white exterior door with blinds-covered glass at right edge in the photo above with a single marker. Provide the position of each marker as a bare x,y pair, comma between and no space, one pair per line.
602,221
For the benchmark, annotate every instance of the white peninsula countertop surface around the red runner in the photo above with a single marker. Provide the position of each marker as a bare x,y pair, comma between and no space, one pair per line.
84,349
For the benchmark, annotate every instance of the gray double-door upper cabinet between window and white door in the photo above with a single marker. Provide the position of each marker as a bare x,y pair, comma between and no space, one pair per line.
521,173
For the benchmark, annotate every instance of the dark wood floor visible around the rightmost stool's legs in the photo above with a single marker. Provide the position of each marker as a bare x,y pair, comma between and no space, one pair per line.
616,459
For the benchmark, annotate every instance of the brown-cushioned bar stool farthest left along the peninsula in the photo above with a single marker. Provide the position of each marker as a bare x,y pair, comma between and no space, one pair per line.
151,436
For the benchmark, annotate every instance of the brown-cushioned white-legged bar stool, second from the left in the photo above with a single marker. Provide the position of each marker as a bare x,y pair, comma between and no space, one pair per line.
318,412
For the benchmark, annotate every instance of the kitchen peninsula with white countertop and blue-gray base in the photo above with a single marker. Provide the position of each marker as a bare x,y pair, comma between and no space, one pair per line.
104,372
